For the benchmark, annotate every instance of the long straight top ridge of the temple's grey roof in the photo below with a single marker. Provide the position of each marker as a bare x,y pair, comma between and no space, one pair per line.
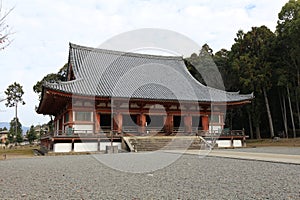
120,53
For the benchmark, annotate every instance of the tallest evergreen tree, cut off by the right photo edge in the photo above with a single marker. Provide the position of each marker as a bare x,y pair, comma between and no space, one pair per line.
288,66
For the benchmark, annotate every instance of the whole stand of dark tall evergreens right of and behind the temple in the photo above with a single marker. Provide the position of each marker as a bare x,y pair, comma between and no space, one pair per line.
268,64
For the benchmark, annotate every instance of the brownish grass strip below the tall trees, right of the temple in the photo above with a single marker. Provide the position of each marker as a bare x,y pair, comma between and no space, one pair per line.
291,142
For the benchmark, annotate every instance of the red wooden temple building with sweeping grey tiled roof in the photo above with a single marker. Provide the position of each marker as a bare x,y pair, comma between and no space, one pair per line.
111,94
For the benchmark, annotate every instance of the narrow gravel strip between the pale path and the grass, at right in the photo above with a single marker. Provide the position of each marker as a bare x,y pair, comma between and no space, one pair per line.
275,150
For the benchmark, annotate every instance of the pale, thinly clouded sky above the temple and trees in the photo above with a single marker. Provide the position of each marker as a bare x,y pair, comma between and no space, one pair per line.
44,28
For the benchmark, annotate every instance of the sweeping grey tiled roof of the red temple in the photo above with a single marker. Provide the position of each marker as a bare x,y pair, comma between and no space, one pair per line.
106,73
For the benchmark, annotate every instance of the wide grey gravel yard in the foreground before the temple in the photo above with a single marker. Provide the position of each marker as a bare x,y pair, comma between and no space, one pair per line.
190,177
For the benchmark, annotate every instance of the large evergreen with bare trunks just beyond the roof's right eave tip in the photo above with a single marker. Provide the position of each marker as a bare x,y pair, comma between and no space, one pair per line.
250,58
